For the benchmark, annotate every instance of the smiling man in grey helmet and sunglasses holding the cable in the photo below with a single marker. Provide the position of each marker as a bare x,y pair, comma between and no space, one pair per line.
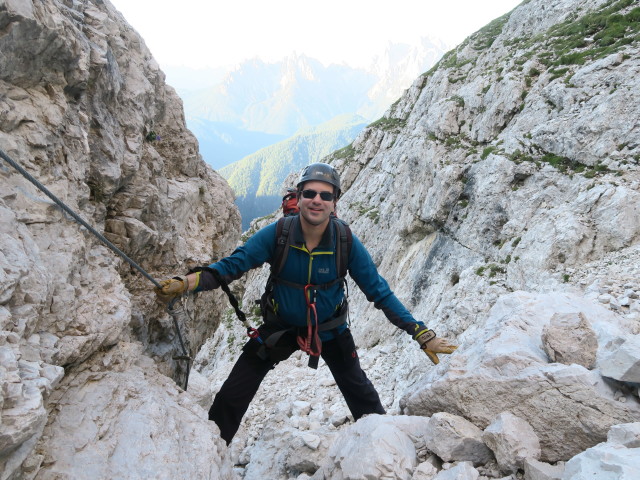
304,306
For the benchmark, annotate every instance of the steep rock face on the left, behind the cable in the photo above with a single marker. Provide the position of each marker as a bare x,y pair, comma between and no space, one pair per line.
85,110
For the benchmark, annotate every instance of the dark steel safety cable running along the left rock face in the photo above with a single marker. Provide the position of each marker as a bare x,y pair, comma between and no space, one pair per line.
176,307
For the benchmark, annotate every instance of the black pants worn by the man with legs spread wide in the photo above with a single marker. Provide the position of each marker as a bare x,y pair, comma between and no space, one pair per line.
233,399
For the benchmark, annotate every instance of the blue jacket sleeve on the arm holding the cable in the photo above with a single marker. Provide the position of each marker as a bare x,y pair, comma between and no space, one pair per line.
253,254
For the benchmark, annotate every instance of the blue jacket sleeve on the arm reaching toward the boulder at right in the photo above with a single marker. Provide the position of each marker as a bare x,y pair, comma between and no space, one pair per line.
376,289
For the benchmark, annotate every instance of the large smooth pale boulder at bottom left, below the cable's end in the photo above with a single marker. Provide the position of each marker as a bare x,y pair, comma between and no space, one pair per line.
117,416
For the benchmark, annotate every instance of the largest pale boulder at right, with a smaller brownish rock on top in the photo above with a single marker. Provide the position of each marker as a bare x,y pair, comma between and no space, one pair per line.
501,367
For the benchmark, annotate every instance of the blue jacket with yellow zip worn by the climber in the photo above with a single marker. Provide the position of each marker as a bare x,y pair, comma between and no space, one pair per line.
317,267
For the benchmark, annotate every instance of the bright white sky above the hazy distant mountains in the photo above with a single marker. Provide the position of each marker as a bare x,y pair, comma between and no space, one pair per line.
210,33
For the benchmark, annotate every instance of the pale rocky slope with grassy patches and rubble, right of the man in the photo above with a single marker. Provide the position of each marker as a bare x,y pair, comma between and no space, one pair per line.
500,198
